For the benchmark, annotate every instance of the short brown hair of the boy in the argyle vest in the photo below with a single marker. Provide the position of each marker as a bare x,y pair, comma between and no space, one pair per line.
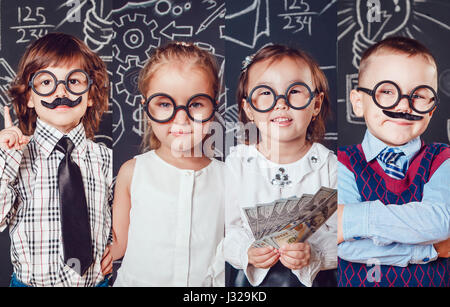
395,44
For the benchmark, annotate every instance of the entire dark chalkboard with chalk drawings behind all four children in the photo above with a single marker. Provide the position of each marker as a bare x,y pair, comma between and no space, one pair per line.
317,26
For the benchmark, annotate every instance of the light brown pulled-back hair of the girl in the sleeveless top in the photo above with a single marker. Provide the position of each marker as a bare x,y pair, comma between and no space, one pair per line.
173,51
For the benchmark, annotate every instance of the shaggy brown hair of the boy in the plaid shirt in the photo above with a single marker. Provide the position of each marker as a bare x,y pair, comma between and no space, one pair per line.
60,49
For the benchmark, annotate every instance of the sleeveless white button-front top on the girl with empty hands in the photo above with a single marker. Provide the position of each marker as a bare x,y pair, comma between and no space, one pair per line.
176,226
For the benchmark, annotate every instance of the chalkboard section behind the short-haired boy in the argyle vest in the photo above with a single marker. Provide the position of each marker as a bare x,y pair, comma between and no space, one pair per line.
426,21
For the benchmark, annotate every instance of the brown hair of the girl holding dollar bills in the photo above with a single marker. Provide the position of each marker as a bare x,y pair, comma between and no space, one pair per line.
316,128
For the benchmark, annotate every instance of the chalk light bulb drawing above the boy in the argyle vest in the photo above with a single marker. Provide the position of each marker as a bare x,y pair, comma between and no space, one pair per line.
377,20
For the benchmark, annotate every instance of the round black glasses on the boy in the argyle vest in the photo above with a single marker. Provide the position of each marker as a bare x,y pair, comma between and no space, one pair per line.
400,96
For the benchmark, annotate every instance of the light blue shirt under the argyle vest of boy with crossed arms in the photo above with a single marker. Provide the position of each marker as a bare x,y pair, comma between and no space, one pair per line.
394,235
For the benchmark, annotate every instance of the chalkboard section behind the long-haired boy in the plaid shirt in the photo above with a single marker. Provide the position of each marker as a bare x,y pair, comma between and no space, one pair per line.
22,22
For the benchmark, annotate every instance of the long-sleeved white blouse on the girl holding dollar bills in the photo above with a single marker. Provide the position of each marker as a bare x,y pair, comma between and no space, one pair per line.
251,180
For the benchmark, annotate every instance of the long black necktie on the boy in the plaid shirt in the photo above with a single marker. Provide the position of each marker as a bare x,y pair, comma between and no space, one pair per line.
76,231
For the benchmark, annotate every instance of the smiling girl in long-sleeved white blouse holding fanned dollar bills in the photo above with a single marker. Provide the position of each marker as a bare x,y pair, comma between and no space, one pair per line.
284,94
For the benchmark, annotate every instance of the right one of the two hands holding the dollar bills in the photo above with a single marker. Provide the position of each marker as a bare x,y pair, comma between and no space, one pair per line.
295,256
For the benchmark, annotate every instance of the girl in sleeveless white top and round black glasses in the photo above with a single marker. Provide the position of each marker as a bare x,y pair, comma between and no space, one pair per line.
168,214
